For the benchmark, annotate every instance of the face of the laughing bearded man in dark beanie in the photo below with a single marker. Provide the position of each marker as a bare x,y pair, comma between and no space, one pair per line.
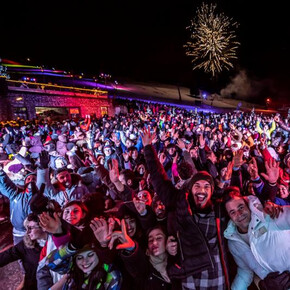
202,192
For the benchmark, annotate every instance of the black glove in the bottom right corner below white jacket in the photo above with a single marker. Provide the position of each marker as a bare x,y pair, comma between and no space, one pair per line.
275,280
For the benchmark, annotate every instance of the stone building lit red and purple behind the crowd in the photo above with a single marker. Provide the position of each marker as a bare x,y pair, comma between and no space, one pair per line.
30,92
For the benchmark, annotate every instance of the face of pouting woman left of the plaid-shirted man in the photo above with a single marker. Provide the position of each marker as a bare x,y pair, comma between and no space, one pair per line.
156,242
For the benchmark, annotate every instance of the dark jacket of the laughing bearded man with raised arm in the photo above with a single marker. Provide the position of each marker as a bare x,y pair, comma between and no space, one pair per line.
194,252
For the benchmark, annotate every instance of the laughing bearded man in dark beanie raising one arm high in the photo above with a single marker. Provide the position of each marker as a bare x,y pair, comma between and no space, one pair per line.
198,226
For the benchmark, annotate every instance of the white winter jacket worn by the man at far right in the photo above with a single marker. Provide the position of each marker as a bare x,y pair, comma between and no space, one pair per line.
269,249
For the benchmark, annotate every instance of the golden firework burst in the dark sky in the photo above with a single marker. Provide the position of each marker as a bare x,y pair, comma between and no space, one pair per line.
212,44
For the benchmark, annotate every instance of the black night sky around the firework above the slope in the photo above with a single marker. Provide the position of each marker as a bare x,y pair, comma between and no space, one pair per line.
143,40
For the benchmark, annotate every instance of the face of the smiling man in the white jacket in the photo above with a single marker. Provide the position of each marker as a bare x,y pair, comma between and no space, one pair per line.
239,213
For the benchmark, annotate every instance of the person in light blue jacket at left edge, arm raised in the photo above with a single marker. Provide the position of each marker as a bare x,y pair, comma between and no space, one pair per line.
19,202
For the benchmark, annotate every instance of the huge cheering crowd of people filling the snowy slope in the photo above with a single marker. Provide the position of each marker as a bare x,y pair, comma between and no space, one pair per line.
157,198
